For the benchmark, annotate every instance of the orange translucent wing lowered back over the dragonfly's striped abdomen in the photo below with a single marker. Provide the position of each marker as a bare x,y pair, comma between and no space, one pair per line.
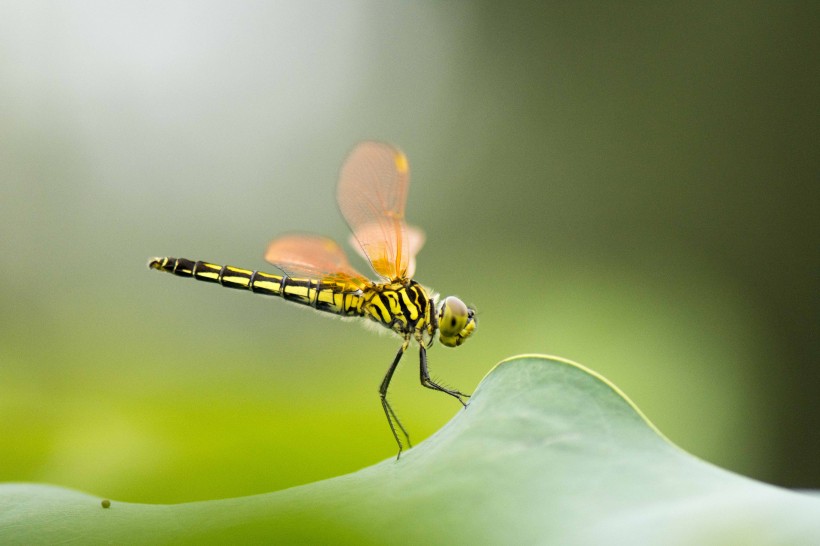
312,256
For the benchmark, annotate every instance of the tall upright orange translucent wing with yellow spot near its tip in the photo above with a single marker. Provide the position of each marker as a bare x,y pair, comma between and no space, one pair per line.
372,194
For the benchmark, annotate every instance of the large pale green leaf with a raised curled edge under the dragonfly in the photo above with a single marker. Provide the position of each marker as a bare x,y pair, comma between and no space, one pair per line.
546,452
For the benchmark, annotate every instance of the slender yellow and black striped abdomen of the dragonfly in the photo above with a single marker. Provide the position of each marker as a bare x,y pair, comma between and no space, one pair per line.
325,296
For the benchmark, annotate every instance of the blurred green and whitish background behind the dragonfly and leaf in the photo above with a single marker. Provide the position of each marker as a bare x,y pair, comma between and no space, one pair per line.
630,186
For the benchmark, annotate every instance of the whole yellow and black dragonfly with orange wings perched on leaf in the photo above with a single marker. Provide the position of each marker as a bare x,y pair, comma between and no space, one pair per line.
371,194
